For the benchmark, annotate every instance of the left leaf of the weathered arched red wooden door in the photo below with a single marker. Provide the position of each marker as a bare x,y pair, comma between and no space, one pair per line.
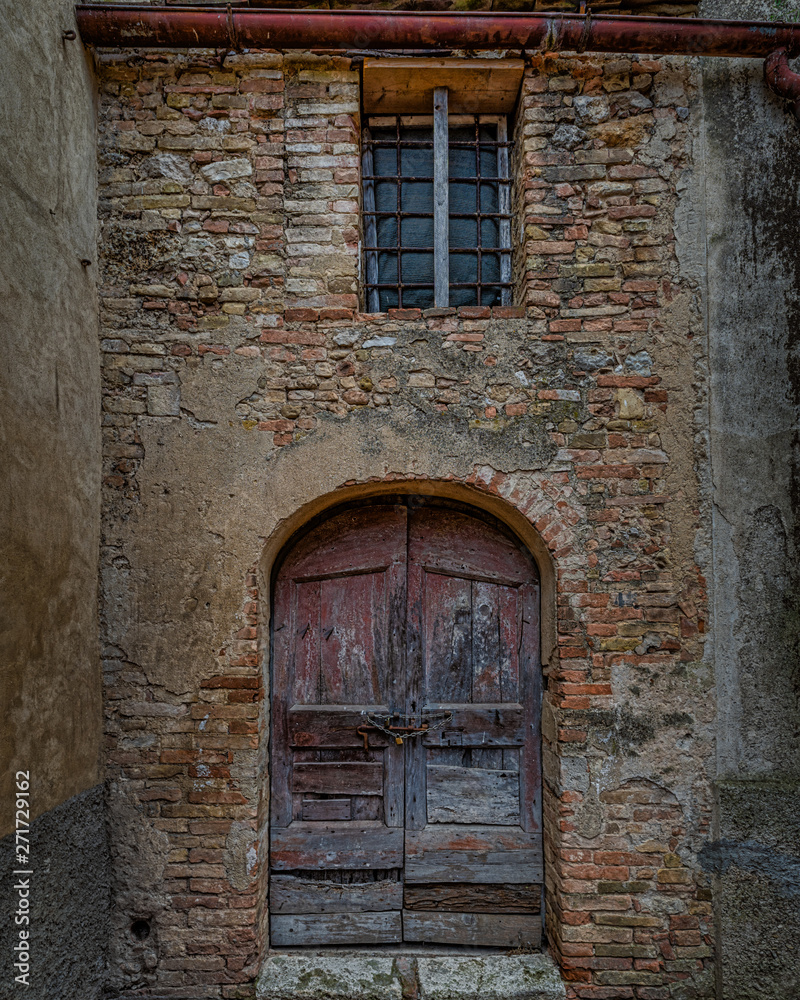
336,838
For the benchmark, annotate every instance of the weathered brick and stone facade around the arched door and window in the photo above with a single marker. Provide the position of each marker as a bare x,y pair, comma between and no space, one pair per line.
229,201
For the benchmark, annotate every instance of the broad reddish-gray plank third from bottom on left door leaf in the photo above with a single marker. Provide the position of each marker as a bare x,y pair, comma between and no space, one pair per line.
347,845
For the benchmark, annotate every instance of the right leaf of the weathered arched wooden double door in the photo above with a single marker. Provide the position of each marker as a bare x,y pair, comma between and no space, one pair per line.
473,851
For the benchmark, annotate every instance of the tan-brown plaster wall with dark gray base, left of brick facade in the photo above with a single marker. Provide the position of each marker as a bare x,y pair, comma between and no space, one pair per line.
50,497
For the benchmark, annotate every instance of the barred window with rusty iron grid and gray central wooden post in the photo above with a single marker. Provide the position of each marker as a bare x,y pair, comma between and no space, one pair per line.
410,179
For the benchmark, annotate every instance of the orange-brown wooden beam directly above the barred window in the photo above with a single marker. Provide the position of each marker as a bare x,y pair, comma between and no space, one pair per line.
476,86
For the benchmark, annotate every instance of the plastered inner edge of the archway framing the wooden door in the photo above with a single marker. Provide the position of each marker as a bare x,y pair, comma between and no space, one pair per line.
290,530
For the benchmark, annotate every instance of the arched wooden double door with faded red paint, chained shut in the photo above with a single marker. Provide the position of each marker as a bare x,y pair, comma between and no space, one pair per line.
412,614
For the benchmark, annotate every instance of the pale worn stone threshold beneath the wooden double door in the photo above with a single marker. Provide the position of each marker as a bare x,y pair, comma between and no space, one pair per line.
364,976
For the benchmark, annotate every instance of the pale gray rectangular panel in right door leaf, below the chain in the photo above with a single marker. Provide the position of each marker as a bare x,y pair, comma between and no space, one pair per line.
472,795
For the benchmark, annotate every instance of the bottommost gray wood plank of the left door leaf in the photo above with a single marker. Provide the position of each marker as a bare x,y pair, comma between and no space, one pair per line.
335,928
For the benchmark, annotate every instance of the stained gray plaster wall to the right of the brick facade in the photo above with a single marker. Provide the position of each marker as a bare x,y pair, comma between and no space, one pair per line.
752,186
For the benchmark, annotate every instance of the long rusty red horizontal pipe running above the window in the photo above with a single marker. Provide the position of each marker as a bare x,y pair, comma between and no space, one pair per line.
116,25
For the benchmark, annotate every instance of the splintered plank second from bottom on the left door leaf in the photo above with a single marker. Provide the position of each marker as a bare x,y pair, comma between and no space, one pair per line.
289,894
